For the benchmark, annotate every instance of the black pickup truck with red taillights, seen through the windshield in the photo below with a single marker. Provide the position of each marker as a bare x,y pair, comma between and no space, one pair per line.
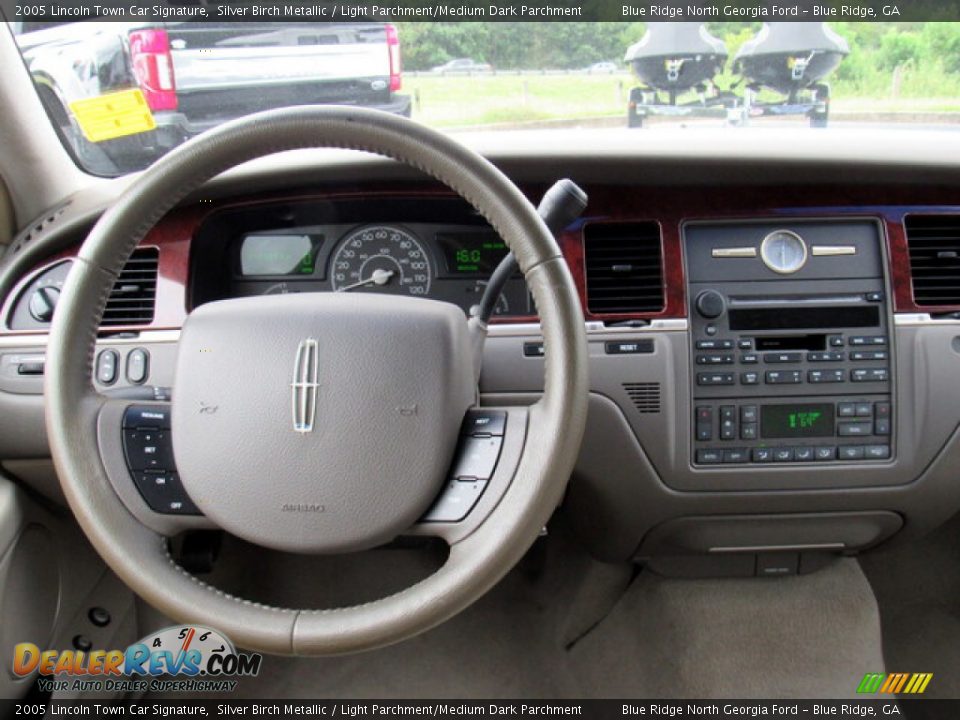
194,76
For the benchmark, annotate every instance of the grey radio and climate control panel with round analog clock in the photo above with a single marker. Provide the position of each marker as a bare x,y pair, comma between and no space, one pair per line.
791,351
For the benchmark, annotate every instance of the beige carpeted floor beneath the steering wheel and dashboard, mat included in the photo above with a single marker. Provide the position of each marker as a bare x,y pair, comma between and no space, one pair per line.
563,625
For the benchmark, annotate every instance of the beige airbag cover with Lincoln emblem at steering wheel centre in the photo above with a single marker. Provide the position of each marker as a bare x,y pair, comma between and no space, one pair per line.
393,378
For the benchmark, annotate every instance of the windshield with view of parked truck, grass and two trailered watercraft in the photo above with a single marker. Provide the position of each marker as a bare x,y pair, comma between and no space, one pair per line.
121,94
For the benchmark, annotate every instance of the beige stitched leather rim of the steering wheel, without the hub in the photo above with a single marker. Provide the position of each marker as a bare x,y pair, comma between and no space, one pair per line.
556,422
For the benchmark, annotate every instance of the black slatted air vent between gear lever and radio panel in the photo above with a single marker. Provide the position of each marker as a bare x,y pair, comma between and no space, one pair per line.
624,268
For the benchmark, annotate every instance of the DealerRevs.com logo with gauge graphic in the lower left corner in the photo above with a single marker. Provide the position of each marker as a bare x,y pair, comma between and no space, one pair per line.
182,658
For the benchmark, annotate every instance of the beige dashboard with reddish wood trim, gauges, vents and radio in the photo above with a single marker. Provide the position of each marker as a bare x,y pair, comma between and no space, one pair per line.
774,348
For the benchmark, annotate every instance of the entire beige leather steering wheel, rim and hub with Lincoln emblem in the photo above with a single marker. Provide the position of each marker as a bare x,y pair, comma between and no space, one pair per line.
337,415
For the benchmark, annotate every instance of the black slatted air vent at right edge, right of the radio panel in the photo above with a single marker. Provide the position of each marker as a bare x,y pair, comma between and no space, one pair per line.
934,242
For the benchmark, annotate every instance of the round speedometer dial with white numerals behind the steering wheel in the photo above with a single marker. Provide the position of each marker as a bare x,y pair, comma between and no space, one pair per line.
381,258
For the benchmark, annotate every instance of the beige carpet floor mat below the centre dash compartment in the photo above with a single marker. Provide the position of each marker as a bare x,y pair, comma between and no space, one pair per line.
806,636
